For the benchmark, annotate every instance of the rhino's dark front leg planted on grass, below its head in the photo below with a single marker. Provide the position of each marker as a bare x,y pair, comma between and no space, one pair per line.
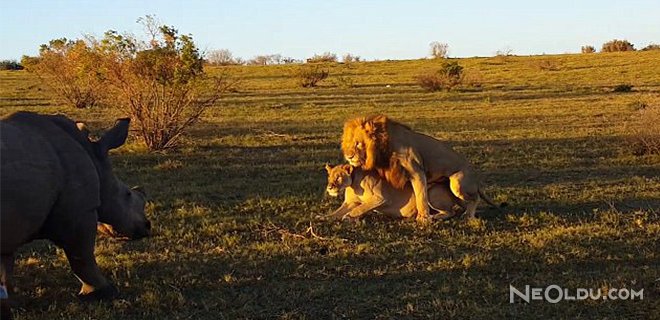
80,253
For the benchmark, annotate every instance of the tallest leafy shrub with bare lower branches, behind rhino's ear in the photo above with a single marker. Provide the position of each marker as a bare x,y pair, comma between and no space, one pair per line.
160,84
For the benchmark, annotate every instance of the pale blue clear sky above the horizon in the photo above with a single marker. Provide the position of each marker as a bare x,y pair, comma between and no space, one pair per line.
384,29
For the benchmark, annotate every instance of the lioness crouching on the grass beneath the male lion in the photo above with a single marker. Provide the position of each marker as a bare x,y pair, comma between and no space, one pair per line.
367,191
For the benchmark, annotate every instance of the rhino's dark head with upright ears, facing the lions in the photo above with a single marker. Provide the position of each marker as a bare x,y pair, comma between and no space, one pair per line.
121,213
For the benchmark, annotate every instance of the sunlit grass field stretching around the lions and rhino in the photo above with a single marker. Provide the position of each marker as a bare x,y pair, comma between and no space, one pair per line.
233,209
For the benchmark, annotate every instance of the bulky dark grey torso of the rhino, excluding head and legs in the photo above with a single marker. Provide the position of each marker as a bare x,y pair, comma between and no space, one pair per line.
47,179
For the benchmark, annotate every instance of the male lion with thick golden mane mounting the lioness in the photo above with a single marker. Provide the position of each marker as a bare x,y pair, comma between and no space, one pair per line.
400,154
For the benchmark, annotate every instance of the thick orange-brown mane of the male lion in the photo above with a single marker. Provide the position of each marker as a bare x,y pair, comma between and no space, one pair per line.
374,132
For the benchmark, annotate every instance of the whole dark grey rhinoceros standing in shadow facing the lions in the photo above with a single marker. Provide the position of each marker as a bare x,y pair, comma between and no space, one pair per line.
57,184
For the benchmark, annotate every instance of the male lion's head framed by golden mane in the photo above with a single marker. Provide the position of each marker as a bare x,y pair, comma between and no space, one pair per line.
365,141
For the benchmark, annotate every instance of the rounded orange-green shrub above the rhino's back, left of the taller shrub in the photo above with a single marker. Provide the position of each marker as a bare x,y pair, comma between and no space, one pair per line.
71,69
